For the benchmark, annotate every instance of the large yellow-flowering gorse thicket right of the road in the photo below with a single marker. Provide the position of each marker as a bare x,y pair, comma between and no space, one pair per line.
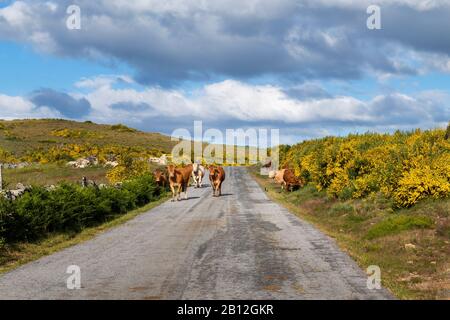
404,166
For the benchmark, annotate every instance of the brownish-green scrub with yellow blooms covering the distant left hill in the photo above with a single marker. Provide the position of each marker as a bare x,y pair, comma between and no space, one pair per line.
53,140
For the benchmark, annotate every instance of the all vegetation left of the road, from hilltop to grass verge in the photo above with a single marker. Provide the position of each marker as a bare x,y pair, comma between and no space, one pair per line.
44,220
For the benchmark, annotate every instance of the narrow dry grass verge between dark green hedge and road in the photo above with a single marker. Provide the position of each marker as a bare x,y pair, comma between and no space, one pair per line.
15,255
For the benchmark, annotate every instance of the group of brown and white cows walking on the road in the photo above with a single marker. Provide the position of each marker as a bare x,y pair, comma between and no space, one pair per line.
179,177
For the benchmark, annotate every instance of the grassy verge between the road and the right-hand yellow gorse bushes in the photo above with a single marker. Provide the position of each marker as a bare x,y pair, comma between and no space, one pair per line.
373,233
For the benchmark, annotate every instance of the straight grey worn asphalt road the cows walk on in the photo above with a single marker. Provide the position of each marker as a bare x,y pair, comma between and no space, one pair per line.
238,246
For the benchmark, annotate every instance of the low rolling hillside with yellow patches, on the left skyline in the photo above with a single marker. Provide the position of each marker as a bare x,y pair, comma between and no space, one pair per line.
25,137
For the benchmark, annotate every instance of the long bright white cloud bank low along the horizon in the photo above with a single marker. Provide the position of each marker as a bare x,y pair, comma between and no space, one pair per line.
233,104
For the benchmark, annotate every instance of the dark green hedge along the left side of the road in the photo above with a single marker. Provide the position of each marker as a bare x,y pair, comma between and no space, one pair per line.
70,208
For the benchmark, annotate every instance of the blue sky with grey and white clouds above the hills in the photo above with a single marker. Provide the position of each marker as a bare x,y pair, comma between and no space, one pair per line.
308,67
